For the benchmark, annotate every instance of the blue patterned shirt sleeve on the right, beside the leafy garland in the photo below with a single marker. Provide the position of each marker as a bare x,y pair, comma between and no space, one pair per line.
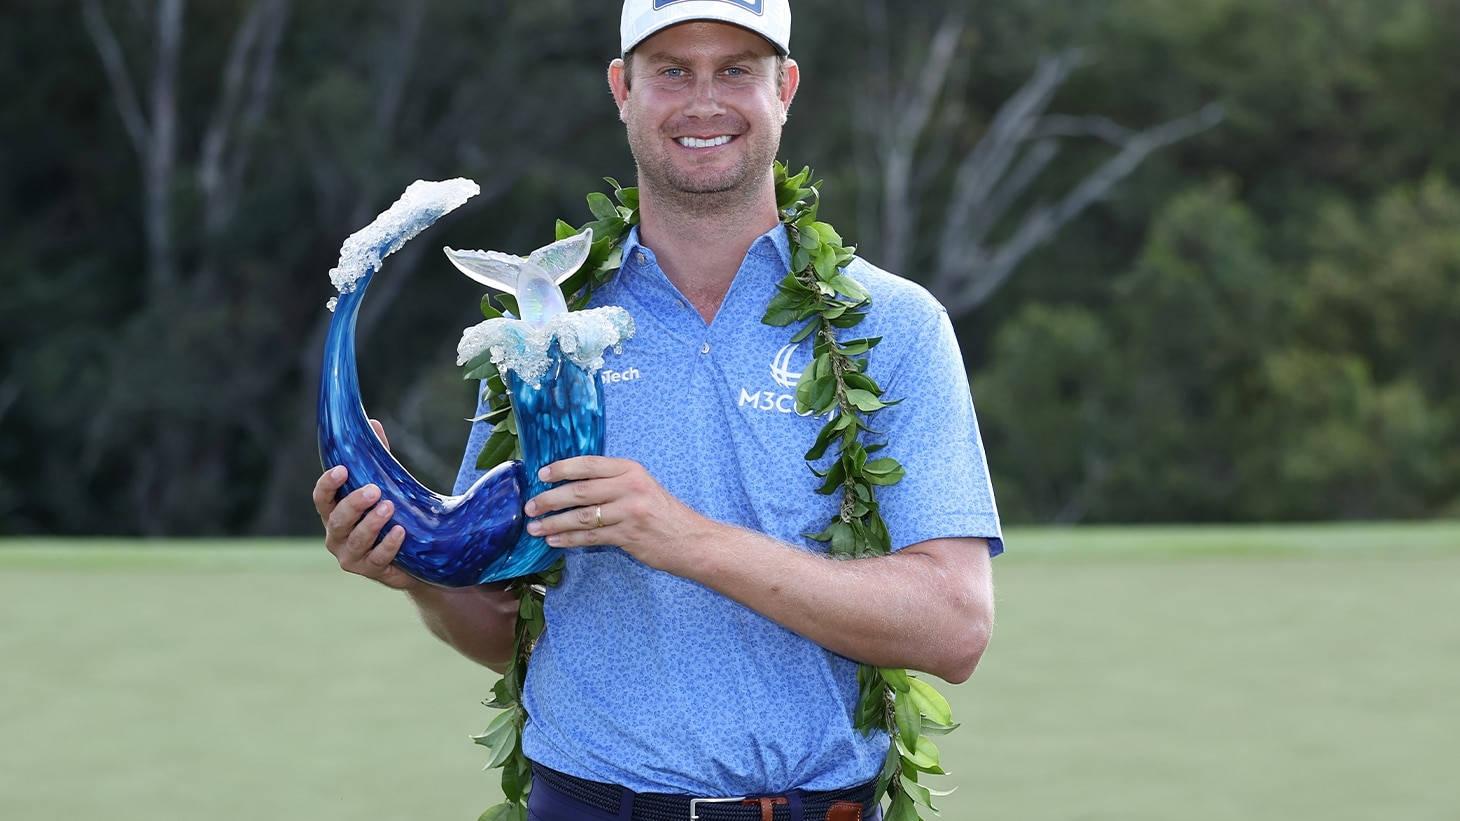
934,433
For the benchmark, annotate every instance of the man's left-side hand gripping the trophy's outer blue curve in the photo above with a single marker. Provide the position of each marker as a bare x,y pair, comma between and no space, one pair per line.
353,528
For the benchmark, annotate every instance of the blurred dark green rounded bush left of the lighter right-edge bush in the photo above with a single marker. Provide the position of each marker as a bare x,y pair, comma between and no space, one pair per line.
1163,383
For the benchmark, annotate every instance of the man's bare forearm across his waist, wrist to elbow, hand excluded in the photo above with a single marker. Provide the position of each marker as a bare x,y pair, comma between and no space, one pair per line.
928,607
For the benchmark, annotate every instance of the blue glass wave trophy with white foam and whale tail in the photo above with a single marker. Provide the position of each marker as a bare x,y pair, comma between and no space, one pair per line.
477,537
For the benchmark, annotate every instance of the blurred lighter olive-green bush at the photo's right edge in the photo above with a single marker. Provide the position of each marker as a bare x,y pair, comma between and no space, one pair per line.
1369,408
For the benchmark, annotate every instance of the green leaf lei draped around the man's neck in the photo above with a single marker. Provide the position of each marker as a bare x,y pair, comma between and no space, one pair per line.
836,386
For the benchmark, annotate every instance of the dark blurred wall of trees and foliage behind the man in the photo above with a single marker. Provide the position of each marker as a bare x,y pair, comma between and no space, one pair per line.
1256,319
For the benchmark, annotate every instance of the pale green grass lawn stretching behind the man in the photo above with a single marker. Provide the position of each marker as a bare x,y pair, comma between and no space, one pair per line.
1135,674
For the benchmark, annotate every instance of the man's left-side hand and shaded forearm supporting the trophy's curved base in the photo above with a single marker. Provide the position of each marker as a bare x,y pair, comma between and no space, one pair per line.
477,622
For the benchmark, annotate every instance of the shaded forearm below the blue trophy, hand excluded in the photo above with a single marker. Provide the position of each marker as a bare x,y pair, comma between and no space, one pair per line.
475,622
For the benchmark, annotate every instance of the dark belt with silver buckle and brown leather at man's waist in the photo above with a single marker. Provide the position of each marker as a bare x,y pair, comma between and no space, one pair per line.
666,807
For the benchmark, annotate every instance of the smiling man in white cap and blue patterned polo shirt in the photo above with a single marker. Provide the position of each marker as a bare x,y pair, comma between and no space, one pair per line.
700,645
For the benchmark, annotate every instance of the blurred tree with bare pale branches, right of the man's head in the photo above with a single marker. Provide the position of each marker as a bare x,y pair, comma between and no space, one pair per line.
945,204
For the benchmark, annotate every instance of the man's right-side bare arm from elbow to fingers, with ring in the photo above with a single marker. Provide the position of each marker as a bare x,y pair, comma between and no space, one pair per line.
928,607
